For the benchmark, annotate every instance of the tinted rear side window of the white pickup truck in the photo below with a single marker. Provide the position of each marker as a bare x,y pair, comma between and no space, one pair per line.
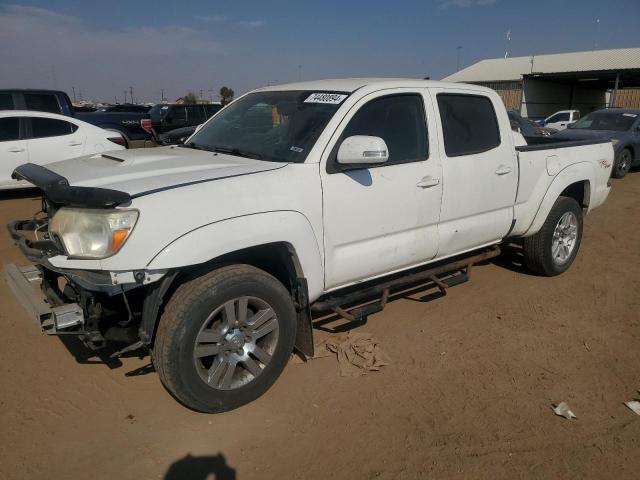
469,124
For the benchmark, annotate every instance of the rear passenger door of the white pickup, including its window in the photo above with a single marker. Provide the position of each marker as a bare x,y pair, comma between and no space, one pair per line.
479,170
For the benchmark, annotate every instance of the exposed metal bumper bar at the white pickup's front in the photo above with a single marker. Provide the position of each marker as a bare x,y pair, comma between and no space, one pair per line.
25,283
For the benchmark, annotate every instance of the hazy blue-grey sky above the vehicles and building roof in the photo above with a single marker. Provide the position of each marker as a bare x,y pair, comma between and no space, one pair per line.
102,48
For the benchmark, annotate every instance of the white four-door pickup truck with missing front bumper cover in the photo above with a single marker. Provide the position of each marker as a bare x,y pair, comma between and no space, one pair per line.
314,196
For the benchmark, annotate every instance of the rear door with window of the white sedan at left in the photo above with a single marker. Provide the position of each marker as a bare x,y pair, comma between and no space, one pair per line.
52,139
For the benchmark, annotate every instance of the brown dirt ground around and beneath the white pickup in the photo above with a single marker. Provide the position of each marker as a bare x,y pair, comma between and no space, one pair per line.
468,394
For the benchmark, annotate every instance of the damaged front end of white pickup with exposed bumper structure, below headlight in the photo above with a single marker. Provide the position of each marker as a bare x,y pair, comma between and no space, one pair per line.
98,306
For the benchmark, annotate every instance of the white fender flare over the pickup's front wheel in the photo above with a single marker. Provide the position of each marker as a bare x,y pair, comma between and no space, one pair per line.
213,240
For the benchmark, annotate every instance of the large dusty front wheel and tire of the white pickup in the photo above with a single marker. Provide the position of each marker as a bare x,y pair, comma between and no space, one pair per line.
225,338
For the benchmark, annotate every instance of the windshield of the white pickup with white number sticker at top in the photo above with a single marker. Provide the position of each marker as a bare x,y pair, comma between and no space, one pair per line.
275,126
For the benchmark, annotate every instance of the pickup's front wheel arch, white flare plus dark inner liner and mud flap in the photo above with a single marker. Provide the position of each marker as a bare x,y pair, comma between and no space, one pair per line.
295,262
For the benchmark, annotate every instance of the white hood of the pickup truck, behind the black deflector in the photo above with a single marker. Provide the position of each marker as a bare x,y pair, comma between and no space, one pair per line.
141,171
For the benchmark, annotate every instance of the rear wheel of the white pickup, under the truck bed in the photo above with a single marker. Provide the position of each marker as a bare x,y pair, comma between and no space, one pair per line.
553,249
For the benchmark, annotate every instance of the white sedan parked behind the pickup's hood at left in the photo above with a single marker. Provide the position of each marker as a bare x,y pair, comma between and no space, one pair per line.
41,138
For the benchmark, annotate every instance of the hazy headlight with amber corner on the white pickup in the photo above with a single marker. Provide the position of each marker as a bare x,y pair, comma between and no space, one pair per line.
91,233
